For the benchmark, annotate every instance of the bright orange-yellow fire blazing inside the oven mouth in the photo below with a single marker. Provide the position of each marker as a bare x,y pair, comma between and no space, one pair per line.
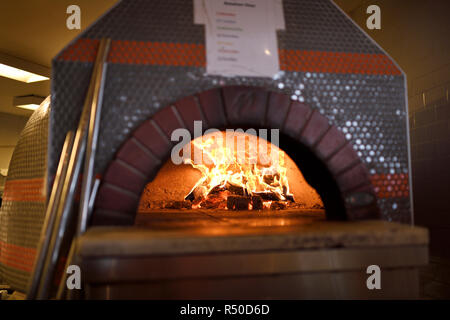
240,166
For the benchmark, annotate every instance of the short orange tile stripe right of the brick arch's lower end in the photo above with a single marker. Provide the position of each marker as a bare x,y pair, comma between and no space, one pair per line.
391,185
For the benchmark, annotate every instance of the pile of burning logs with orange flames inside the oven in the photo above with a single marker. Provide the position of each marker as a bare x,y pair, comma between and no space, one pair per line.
237,183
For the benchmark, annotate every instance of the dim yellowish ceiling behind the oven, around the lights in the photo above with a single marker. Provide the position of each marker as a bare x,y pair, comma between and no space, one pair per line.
35,30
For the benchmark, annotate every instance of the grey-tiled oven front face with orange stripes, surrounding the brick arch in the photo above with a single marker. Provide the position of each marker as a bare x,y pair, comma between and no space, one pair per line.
157,58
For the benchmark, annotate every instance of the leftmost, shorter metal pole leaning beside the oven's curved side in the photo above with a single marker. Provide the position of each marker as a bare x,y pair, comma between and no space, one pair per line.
50,215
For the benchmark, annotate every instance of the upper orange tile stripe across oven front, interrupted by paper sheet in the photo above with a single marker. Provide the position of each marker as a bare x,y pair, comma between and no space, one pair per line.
191,54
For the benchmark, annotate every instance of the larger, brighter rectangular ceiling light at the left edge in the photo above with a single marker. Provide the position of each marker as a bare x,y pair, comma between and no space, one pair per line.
22,70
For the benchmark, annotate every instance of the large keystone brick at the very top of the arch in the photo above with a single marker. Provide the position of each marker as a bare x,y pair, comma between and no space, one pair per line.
245,105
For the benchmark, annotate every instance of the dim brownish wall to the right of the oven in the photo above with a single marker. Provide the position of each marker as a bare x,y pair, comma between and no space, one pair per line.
416,34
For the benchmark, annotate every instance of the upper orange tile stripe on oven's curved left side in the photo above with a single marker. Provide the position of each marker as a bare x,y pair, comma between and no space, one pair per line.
24,190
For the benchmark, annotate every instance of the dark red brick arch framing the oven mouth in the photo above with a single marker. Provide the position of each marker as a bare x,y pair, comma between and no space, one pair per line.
141,156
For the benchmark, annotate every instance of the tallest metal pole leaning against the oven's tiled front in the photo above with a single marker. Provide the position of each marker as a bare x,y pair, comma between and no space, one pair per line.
64,208
